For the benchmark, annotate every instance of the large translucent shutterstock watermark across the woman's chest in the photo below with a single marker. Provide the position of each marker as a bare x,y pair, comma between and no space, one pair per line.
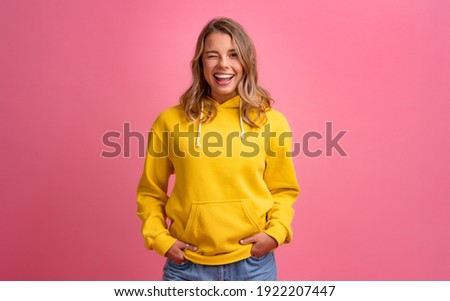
215,144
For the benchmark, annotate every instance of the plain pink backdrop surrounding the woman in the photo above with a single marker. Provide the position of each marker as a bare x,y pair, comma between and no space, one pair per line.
73,70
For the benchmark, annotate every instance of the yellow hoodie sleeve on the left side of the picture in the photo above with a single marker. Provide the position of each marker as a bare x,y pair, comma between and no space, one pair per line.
152,195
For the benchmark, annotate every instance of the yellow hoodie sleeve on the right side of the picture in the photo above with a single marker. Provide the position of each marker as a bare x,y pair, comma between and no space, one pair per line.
281,180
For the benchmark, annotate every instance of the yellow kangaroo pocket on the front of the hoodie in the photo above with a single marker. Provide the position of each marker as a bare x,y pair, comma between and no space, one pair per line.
217,226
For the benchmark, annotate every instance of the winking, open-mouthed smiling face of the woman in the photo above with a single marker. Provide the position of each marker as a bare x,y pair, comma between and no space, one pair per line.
221,66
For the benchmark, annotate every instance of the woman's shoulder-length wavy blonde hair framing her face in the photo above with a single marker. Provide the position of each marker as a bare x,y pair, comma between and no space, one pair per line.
255,99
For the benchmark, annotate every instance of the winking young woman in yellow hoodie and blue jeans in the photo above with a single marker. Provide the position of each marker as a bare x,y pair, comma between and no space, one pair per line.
235,184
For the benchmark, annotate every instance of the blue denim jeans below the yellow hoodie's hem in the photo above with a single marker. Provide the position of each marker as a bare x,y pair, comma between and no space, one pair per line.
250,269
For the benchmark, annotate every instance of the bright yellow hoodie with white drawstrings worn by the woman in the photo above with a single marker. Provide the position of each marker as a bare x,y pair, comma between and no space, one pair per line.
231,181
